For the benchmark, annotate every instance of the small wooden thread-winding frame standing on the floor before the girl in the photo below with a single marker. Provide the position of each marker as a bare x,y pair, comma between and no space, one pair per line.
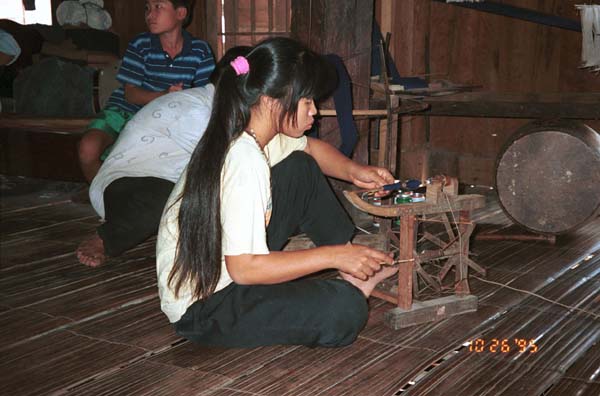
441,198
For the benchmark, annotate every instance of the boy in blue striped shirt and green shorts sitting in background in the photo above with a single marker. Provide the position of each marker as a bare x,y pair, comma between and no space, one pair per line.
165,59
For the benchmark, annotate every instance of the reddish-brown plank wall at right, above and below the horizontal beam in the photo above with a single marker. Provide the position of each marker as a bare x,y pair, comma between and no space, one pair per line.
499,53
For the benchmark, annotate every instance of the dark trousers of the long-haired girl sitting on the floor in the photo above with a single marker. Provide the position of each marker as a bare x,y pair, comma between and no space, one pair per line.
311,312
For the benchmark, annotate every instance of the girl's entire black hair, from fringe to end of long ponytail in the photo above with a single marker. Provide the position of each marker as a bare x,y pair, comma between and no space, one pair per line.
280,68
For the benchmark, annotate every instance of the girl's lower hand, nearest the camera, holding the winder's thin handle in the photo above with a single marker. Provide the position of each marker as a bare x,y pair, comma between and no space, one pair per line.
359,261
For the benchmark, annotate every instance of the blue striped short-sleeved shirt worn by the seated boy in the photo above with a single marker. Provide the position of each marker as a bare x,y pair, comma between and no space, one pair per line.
148,66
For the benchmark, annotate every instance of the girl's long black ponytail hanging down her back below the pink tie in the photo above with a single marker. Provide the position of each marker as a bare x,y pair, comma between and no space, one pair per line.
199,220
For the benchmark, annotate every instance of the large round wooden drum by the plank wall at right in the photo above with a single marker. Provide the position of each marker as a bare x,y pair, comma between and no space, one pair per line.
548,176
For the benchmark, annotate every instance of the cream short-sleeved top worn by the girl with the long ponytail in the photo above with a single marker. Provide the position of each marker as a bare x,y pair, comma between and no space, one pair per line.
245,212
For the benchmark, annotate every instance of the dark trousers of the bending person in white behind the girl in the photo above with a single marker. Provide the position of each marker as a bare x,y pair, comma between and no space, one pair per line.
133,207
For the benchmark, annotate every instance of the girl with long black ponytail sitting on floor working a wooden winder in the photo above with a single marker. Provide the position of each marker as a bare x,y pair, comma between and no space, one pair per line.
252,182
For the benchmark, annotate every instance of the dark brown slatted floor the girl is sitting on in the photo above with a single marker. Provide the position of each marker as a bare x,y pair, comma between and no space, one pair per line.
68,329
